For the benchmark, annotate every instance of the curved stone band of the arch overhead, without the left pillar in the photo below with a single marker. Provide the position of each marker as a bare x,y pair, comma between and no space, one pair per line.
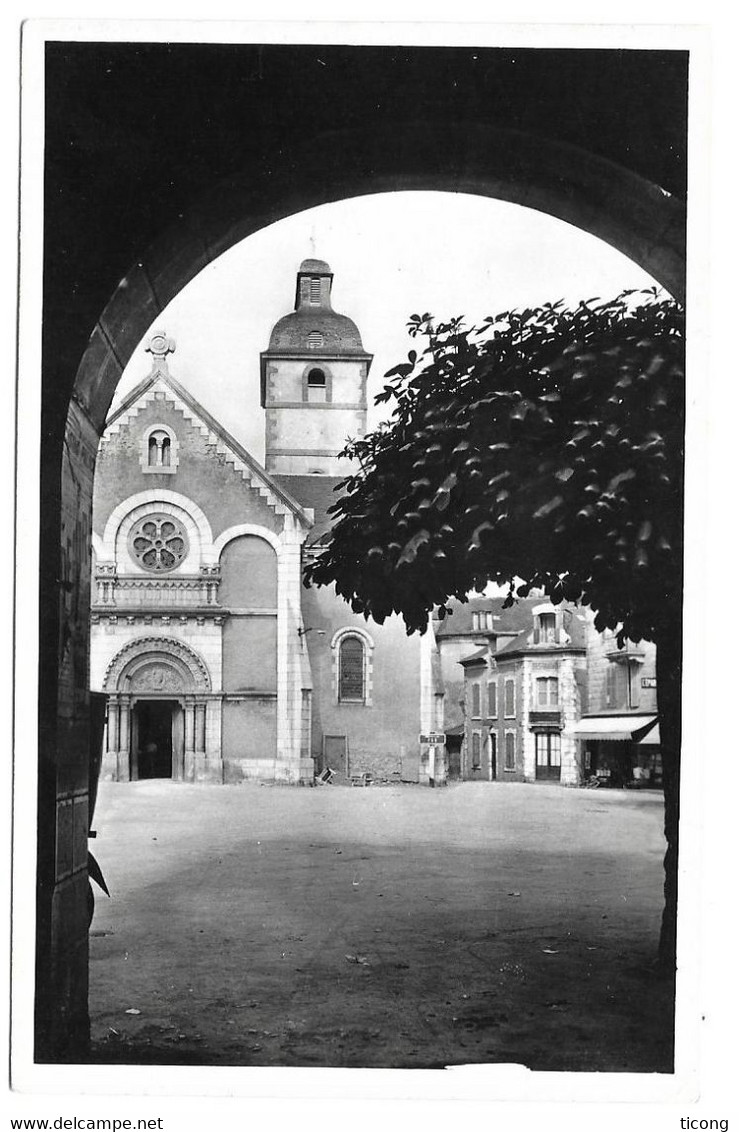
615,204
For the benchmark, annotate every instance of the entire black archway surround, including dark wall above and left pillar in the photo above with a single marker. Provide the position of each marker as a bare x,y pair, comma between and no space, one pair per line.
145,207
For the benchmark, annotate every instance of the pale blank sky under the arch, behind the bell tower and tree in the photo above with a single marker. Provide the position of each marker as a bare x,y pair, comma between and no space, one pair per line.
393,255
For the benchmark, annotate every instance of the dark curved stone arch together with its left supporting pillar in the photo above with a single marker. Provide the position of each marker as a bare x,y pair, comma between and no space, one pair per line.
597,195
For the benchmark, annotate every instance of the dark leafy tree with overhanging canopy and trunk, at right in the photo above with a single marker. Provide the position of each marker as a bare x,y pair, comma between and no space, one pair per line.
542,450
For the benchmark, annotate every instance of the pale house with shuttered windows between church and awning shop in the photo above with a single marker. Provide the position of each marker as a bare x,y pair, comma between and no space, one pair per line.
525,691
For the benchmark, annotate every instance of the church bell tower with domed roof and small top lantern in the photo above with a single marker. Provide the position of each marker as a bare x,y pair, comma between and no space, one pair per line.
314,382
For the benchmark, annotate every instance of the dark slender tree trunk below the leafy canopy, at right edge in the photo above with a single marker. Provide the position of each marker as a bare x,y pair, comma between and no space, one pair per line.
669,670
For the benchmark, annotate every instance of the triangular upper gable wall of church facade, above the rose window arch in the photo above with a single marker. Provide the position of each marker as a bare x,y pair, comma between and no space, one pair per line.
204,471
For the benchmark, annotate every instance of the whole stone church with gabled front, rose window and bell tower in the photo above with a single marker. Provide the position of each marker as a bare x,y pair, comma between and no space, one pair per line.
217,664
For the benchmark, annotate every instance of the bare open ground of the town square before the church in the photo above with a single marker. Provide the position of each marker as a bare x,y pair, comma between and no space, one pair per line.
392,927
